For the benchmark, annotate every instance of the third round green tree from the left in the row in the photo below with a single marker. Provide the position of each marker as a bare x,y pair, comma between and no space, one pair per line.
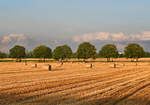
62,52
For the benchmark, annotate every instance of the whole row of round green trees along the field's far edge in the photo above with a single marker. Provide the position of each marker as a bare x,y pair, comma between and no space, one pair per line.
85,50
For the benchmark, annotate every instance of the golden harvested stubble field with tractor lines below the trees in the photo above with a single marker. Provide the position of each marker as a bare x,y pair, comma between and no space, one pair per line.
75,84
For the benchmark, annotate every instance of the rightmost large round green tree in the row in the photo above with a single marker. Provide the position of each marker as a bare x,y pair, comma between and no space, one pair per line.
134,51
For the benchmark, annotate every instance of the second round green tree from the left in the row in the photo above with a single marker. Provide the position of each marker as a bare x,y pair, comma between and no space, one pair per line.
42,51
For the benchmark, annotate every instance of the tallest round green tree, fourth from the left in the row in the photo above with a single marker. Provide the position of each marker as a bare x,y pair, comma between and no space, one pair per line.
86,50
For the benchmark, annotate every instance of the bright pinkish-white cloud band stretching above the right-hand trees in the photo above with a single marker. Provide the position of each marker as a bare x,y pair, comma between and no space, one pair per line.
115,37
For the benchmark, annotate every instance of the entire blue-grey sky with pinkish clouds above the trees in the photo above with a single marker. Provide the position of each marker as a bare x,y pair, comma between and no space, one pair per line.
56,22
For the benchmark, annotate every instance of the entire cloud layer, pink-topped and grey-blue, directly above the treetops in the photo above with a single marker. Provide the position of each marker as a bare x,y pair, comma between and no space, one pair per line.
98,39
